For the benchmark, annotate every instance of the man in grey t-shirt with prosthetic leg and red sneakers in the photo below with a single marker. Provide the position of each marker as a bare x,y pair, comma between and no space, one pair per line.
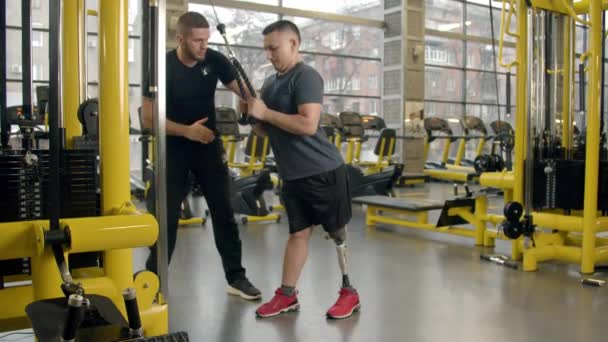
315,184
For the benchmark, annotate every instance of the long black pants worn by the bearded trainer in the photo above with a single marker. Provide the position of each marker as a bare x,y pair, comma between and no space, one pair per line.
211,173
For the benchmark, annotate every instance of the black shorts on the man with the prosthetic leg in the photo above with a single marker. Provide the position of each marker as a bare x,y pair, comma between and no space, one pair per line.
320,199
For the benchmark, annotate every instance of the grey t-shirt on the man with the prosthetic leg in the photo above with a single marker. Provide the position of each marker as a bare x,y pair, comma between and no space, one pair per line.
298,156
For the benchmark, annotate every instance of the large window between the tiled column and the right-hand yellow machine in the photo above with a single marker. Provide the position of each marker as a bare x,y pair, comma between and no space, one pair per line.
464,76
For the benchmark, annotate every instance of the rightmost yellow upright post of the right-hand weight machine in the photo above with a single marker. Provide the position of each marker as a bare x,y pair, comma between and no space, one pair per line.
593,138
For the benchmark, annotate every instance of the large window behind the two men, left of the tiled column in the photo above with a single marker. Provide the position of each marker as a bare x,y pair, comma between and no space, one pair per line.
346,56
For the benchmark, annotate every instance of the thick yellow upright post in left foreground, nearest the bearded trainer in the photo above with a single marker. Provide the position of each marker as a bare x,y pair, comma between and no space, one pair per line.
114,126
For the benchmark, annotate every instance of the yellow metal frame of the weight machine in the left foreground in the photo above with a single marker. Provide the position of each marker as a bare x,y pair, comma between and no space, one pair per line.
122,228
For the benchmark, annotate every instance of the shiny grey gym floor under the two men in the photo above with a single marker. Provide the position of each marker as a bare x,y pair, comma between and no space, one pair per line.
414,286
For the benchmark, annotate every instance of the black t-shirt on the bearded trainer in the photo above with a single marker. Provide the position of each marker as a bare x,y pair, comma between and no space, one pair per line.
191,90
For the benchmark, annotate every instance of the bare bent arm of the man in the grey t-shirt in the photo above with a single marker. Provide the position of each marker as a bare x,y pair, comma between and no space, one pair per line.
305,122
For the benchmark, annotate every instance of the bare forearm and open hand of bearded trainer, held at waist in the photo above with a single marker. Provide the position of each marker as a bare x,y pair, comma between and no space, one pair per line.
194,132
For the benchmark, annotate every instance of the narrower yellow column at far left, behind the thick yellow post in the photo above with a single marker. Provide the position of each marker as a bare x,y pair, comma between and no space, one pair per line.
71,72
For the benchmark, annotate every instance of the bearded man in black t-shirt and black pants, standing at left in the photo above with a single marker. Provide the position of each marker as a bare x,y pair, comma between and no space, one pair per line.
193,71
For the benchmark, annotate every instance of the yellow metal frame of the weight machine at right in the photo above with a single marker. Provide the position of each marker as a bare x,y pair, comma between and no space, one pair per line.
573,238
